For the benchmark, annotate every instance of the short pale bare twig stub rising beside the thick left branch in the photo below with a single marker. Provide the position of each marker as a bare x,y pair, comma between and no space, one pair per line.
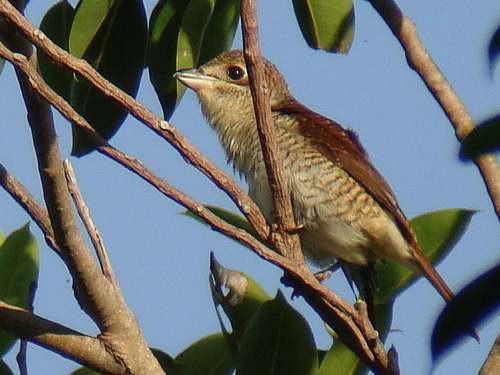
93,232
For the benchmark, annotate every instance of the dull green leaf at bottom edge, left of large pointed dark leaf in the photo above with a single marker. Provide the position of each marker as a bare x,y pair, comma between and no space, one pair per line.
209,356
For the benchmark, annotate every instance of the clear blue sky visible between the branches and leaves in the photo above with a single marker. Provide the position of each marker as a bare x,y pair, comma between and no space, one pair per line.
161,258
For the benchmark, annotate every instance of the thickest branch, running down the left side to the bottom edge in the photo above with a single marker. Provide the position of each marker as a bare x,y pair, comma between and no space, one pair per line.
96,295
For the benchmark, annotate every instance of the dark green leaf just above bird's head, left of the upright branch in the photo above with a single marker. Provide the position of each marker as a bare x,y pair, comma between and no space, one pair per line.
219,34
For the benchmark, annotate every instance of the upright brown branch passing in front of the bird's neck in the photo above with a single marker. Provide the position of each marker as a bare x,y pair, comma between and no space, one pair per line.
287,243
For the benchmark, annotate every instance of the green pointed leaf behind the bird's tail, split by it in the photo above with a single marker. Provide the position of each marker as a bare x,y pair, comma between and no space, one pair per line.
437,232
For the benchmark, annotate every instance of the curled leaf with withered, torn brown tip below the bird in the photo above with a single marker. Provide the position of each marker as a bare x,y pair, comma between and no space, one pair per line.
243,299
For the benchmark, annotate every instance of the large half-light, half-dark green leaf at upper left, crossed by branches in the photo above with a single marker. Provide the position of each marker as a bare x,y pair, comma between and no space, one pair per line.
112,36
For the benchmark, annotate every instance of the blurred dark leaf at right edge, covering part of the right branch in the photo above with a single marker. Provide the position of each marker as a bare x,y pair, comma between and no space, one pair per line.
485,138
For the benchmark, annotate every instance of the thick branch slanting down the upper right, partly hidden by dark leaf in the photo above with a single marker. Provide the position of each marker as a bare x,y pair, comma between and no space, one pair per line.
419,59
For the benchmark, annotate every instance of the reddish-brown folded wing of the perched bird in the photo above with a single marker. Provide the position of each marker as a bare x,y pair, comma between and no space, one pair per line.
344,149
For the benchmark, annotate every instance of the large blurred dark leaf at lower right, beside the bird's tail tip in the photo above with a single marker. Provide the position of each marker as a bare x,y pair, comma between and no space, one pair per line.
472,305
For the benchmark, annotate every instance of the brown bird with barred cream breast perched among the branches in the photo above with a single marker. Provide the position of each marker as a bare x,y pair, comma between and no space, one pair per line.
345,209
